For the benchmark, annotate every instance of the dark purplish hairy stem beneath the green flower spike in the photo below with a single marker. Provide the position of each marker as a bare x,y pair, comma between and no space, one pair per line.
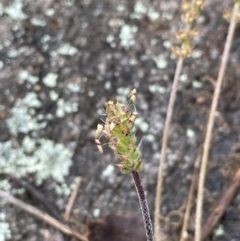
144,206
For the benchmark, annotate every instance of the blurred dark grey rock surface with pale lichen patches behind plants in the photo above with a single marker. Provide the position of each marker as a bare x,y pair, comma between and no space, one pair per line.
61,61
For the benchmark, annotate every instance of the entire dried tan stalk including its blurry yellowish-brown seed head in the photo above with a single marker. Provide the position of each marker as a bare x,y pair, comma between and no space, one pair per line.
191,10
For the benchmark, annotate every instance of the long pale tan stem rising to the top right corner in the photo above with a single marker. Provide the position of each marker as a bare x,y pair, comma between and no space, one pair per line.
208,137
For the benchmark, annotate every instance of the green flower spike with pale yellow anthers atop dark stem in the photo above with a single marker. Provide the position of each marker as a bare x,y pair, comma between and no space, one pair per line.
118,131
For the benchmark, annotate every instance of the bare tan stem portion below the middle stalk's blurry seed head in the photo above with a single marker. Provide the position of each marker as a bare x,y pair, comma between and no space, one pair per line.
163,149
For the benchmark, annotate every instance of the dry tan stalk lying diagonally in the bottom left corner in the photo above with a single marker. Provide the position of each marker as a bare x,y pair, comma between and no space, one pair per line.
39,214
